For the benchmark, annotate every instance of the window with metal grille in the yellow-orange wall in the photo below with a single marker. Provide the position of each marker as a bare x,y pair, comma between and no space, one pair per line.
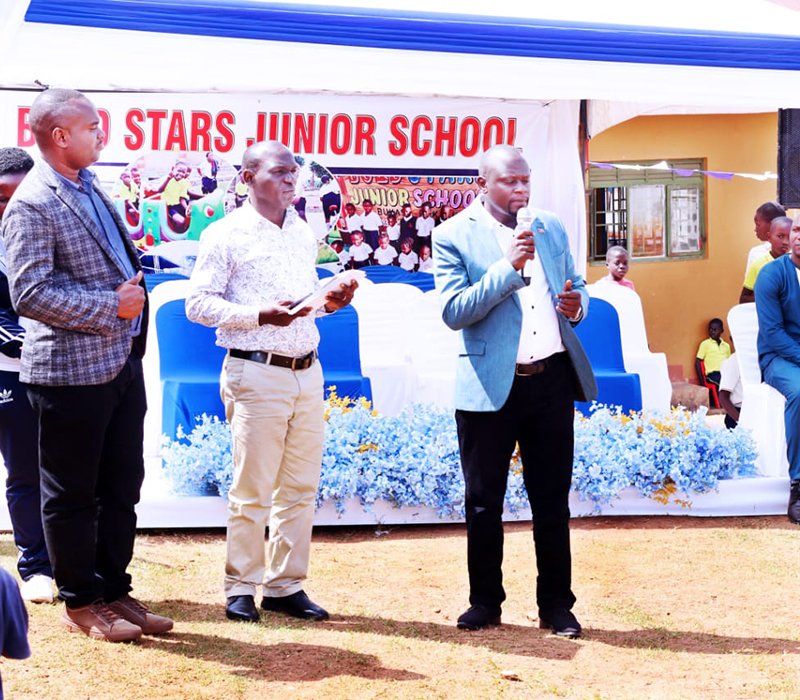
651,213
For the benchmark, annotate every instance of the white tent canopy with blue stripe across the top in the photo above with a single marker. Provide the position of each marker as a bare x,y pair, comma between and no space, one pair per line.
713,55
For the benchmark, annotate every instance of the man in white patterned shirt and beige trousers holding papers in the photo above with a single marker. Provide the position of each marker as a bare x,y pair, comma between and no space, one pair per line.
251,265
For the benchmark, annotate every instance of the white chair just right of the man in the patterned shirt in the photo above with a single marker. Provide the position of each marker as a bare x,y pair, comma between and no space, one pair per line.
383,312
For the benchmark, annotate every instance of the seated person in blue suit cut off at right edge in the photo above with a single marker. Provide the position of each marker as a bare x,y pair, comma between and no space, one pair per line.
777,293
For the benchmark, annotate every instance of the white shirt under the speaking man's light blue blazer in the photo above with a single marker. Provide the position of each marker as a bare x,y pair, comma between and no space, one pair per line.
540,336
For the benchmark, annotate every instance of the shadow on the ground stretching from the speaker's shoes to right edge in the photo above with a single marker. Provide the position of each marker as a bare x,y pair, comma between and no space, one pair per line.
692,642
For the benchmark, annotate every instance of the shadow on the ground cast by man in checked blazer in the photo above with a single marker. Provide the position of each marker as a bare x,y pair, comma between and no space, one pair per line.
284,662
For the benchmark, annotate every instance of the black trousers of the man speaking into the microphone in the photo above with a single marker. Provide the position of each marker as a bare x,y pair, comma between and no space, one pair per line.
538,415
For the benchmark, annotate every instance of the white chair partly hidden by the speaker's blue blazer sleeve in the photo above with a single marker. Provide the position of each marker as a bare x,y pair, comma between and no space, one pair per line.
434,353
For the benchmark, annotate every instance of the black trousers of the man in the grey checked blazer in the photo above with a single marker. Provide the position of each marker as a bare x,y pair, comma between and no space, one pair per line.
90,448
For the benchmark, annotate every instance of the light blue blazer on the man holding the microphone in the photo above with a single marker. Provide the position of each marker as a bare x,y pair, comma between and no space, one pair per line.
477,286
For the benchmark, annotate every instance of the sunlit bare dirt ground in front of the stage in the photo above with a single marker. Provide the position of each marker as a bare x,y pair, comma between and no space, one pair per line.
671,607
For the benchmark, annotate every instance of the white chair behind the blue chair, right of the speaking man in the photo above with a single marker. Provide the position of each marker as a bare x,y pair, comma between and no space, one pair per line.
650,366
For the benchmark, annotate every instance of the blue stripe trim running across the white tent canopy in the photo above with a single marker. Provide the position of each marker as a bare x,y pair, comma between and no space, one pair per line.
429,31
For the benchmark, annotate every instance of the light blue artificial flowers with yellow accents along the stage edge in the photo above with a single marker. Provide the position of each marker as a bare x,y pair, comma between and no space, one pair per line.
412,459
